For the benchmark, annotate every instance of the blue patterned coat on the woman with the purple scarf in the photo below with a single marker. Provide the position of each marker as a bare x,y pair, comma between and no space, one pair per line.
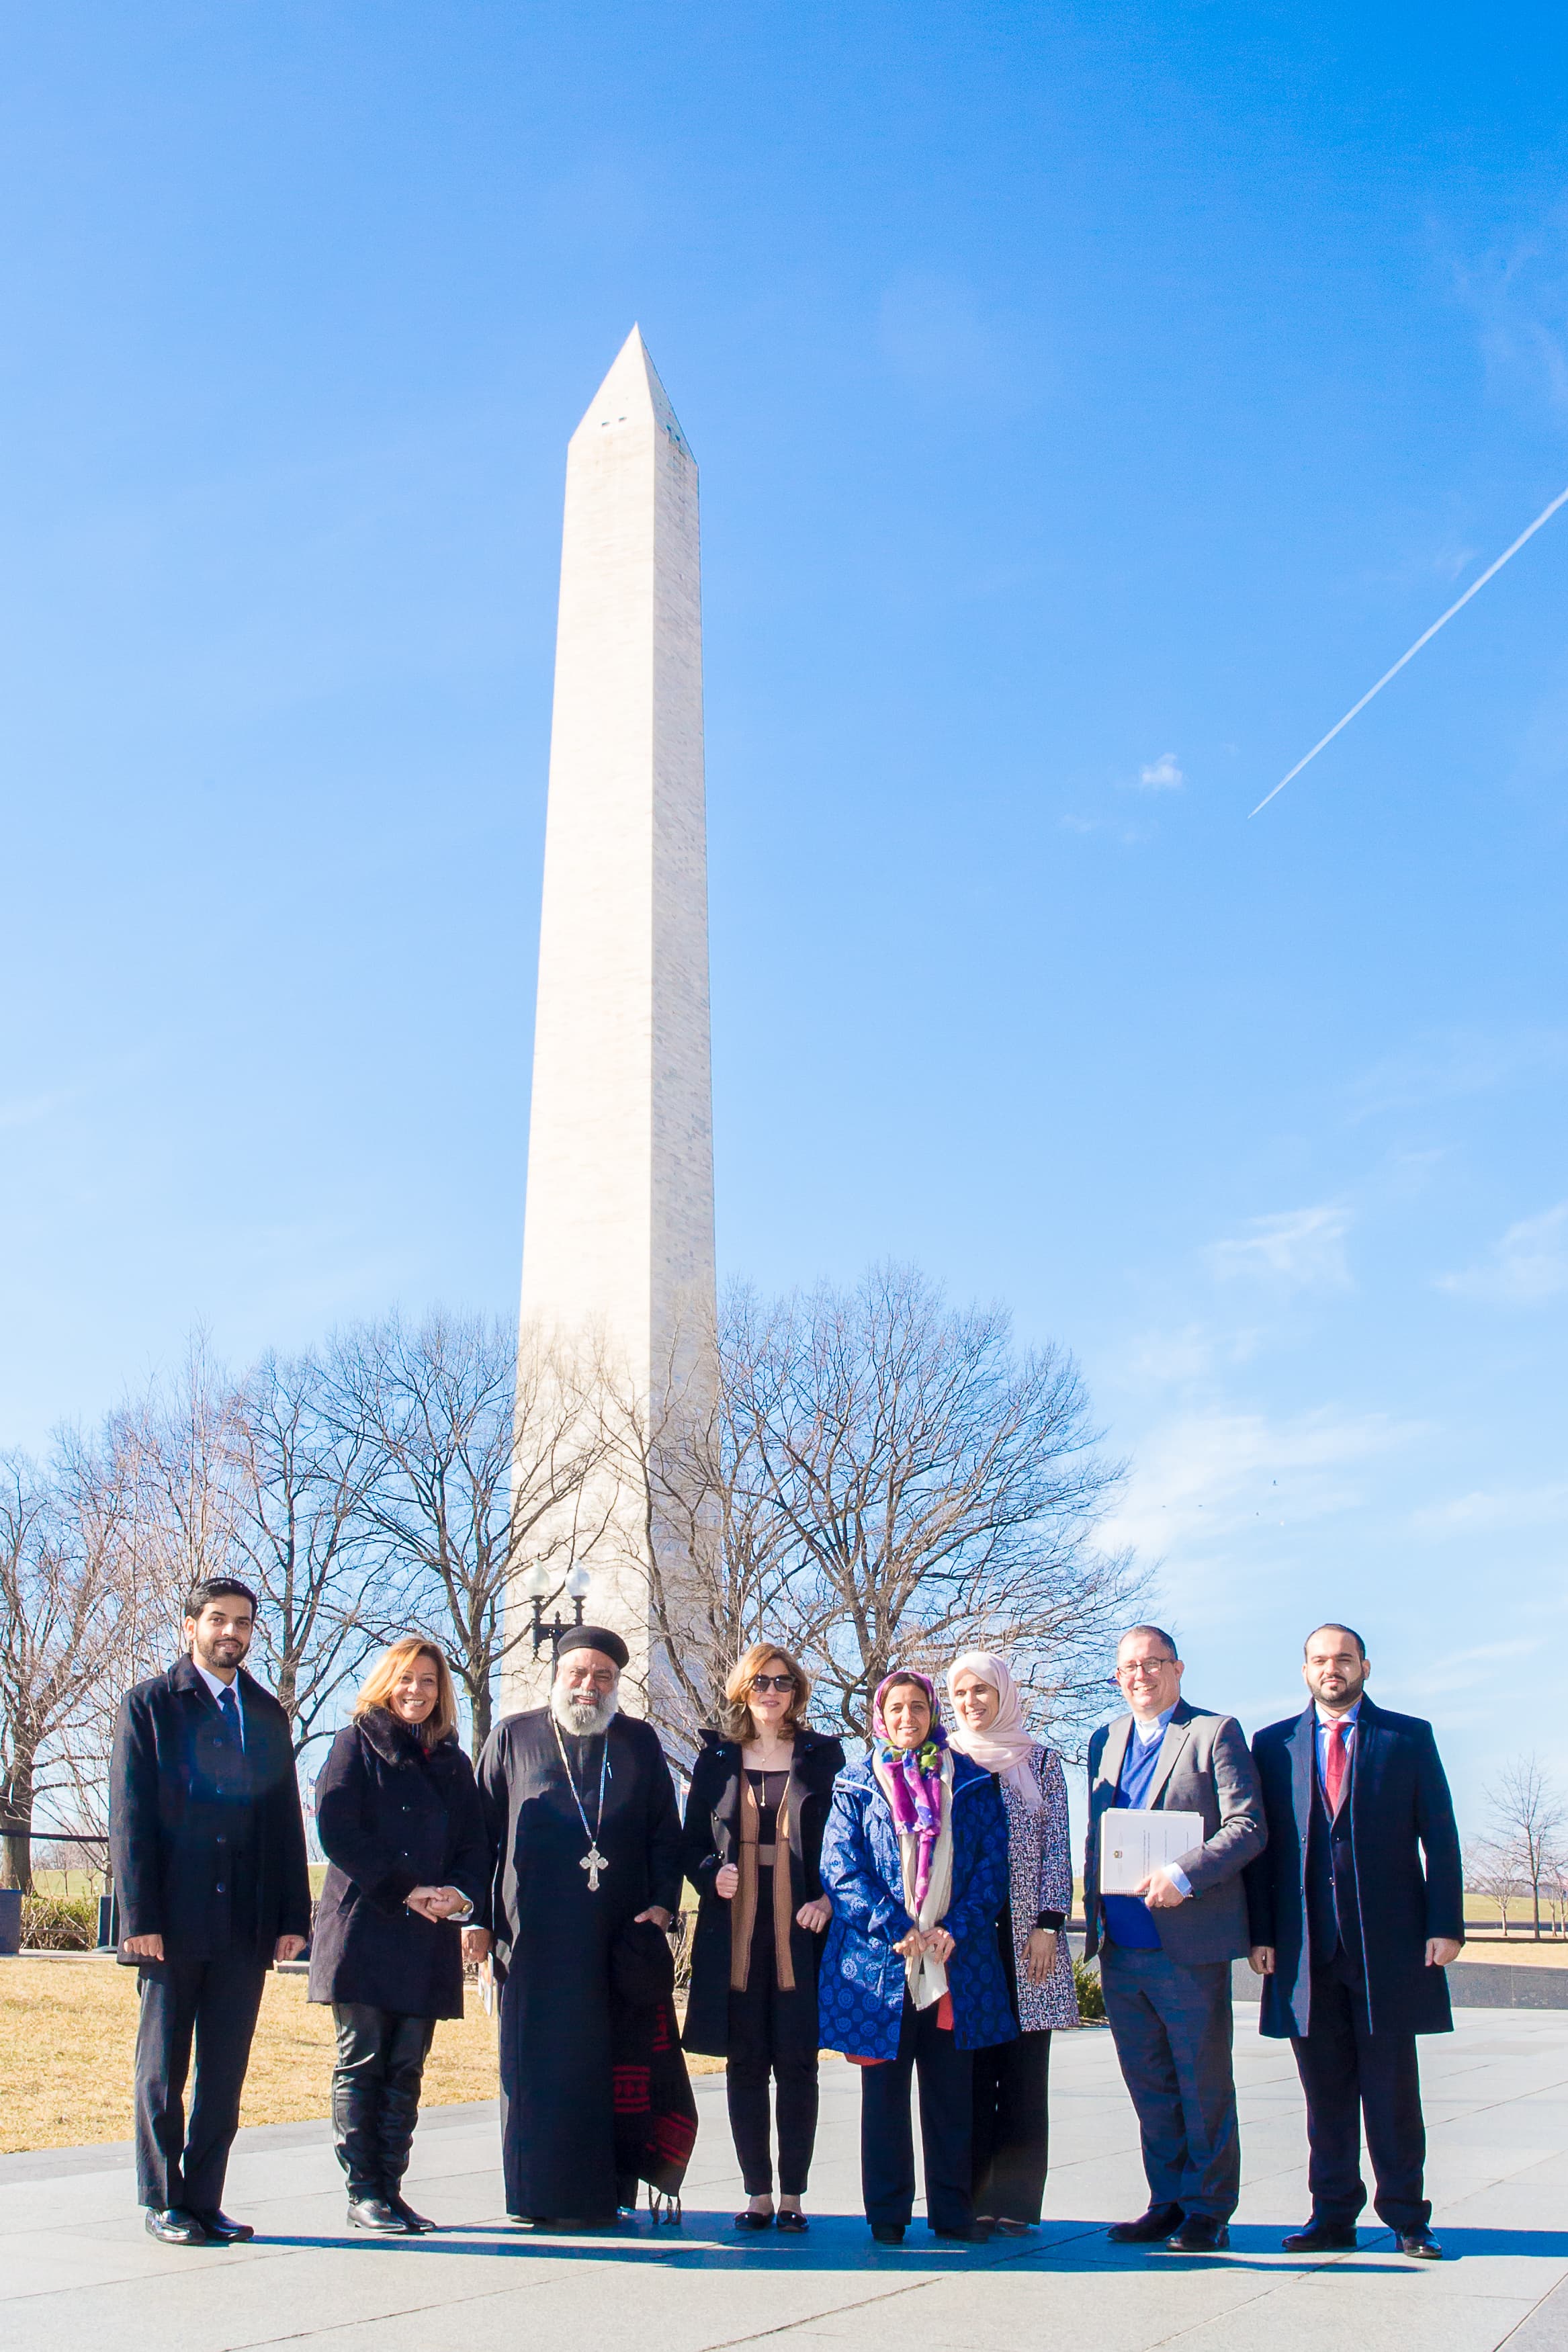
862,1984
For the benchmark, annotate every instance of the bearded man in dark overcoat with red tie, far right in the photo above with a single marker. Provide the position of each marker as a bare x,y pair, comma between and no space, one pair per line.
1353,1937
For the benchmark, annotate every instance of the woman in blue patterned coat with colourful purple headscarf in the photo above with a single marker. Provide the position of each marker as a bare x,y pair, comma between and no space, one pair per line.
916,1866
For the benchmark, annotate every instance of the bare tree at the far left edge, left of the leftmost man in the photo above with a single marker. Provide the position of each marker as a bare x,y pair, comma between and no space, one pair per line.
62,1610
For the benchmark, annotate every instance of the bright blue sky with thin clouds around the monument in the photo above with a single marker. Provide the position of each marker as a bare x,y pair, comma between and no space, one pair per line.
1090,406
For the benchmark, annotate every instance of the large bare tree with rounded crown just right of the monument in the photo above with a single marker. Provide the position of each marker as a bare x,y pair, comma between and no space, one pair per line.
887,1481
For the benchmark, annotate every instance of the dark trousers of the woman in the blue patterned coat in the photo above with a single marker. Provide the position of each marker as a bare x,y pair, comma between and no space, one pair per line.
887,2134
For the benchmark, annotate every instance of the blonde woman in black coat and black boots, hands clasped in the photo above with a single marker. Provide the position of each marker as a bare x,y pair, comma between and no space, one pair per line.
403,1831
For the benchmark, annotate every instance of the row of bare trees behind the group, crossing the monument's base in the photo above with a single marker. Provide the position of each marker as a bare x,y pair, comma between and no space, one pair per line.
873,1476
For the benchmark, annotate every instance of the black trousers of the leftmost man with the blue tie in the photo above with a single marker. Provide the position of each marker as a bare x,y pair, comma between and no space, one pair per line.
210,2003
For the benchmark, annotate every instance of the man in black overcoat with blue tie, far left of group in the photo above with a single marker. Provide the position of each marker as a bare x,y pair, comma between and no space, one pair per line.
210,1871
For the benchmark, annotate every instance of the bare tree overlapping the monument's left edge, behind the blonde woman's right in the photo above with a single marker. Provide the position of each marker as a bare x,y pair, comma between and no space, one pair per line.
483,1464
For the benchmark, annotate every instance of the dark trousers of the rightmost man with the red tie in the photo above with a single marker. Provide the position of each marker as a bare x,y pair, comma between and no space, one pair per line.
1351,2073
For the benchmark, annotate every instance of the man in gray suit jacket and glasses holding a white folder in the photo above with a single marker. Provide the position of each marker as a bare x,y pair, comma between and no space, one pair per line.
1167,1951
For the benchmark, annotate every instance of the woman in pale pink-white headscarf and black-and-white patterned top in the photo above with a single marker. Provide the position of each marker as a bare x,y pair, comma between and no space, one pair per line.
1012,2080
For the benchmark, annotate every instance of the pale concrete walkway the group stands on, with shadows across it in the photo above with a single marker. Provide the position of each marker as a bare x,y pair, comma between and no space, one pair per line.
76,2266
